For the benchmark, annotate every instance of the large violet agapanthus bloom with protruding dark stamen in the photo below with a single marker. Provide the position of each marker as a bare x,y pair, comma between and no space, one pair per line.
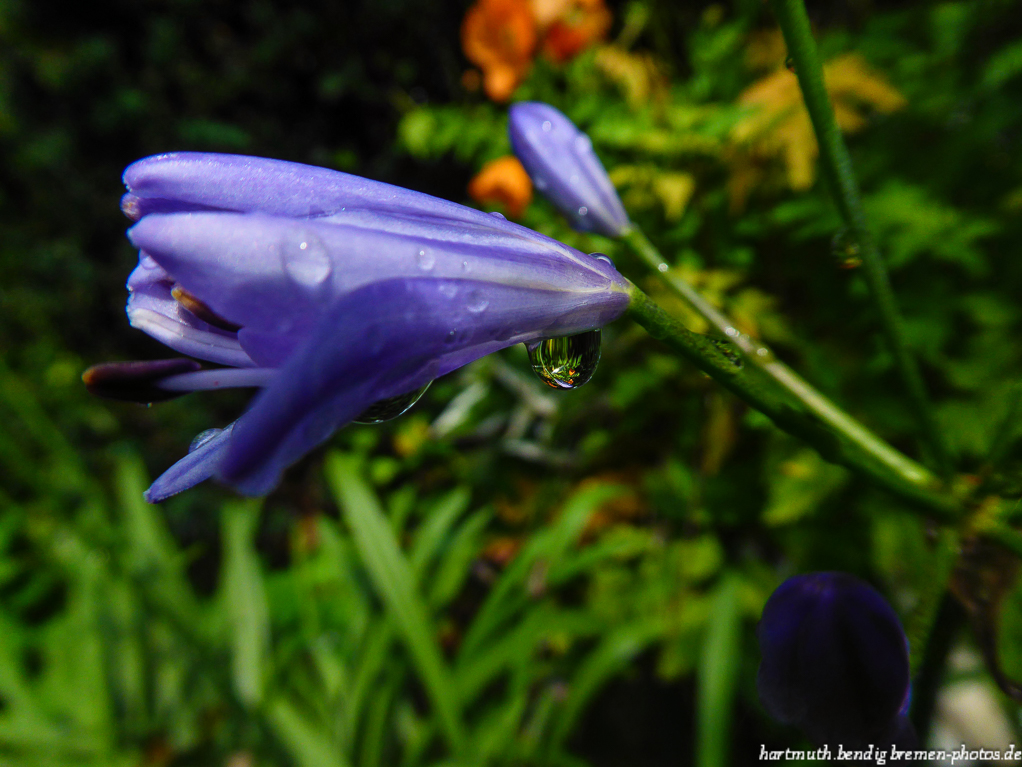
330,293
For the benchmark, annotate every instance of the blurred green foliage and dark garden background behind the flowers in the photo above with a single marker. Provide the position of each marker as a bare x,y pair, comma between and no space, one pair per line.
507,575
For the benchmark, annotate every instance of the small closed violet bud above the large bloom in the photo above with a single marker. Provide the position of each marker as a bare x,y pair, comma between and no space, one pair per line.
564,167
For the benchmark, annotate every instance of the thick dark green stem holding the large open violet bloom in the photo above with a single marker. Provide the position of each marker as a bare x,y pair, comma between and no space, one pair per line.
915,485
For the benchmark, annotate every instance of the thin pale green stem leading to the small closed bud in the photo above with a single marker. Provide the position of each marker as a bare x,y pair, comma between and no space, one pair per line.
764,358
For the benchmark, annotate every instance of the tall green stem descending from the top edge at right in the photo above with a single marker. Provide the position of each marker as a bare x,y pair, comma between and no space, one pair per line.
837,165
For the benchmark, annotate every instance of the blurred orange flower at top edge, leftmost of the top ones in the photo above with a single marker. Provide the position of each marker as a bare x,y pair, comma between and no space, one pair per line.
500,37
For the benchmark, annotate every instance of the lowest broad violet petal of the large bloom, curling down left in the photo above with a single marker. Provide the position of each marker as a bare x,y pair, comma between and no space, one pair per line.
387,339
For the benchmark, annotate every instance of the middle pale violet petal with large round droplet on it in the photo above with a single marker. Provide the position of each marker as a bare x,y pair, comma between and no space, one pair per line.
278,276
